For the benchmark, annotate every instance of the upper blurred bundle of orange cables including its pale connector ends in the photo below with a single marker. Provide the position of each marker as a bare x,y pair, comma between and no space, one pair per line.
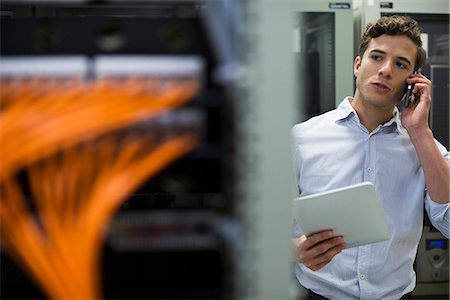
41,117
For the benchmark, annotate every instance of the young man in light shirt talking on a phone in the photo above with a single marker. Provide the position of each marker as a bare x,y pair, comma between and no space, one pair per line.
367,139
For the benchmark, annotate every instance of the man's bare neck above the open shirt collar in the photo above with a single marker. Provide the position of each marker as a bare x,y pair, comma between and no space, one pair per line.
370,115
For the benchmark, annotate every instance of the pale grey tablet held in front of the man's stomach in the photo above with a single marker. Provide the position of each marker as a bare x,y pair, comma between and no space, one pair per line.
353,212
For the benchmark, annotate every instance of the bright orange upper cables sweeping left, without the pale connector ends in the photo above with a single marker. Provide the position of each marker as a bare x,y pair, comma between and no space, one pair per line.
100,112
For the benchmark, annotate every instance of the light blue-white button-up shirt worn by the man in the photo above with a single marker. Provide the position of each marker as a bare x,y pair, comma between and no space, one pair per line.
335,150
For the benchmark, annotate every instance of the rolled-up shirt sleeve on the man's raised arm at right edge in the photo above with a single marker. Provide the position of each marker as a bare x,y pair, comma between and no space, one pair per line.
439,213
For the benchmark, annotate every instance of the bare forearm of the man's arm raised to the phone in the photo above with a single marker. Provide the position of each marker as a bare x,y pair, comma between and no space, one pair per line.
435,168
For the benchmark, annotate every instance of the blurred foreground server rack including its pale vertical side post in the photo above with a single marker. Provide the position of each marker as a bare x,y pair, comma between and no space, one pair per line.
230,198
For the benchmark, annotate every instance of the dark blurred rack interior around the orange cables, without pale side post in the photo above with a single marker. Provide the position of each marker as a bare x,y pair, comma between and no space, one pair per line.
172,237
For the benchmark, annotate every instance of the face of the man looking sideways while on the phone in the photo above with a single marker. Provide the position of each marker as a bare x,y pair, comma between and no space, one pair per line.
383,69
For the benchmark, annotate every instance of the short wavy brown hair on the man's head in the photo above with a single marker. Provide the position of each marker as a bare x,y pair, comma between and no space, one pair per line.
395,25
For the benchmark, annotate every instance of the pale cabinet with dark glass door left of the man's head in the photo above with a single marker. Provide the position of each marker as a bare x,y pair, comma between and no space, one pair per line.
323,40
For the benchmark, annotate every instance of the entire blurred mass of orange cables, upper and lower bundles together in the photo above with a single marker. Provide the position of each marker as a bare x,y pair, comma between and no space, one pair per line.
83,148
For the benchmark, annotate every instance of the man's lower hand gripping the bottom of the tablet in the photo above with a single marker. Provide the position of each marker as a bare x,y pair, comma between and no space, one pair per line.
318,249
